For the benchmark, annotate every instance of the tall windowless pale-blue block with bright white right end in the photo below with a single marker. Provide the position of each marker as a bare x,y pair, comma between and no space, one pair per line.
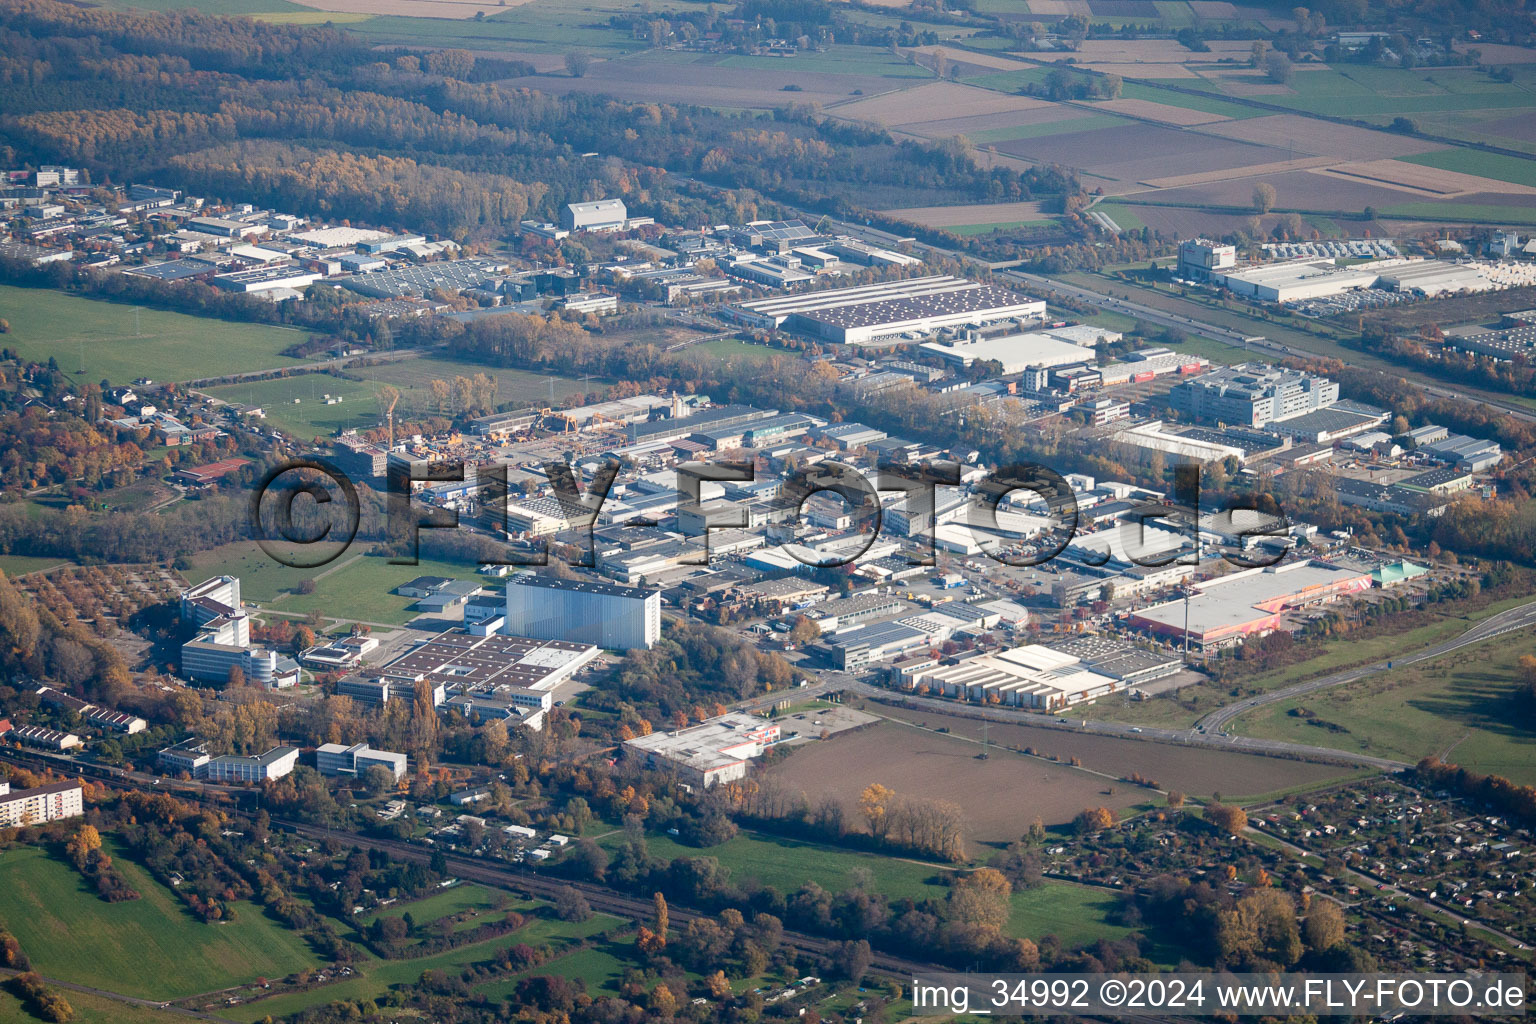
584,612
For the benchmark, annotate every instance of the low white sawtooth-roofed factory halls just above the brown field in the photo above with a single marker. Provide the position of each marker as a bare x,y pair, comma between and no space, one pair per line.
1031,676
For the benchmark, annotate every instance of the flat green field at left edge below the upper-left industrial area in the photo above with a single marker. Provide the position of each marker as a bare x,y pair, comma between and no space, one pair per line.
94,340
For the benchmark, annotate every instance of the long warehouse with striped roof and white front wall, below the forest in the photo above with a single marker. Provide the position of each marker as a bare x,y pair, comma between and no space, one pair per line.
882,312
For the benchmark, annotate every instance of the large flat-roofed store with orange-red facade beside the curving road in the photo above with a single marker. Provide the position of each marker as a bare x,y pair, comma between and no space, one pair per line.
1228,610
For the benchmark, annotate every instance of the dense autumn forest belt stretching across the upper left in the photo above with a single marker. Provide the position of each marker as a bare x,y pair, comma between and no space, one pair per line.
311,121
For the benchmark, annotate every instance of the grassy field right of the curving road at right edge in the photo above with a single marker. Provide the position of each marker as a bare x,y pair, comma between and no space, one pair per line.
1471,710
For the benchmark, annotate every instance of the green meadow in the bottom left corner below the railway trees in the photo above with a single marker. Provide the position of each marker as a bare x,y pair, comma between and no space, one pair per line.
150,948
